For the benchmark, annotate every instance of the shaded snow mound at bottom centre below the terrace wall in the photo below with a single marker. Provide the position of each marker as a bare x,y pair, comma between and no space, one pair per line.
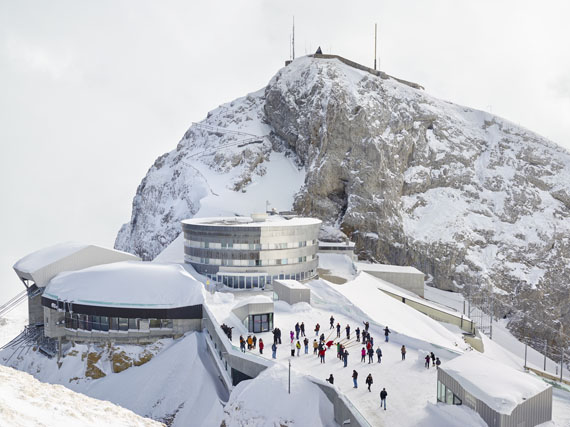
264,401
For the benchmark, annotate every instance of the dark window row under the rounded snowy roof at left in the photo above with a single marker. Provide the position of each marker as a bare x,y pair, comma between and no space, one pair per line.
105,324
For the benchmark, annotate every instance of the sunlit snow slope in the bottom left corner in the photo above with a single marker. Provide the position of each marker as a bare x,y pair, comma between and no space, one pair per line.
29,402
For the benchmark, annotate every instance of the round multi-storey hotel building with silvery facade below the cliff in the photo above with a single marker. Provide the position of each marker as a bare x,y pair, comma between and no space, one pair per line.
250,252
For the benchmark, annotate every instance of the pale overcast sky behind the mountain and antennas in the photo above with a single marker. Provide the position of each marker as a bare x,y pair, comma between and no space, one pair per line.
92,92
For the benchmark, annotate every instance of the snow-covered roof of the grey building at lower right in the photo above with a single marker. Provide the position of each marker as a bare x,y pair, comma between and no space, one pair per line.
501,387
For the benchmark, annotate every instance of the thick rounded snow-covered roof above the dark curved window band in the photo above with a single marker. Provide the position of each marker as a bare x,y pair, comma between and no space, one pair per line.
128,284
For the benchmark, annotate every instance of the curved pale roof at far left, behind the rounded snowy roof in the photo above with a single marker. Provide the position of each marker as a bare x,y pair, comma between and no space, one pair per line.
42,265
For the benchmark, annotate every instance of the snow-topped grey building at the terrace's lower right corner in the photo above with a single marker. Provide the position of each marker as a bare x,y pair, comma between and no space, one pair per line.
501,395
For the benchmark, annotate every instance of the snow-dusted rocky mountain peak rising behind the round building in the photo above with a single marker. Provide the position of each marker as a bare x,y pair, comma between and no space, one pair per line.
471,199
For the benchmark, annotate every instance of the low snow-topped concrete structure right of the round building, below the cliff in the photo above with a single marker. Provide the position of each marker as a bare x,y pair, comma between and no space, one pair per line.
408,278
